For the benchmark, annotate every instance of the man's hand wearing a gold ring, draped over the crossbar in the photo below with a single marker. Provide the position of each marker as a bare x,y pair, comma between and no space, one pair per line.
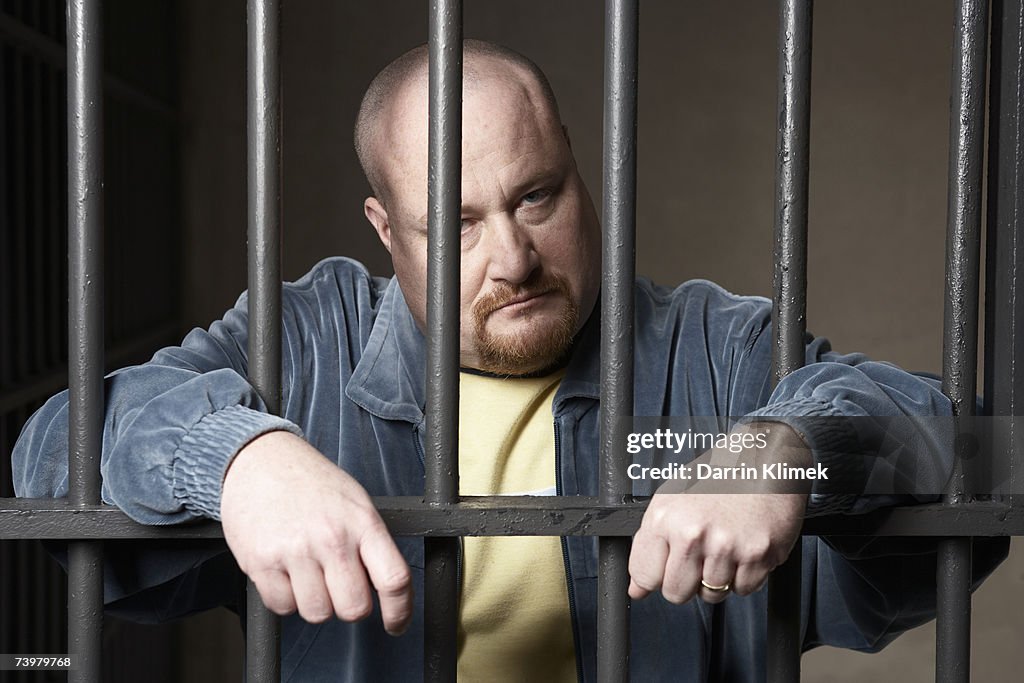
730,540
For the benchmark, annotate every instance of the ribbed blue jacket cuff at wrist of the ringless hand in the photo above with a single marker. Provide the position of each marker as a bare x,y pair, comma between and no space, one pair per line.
207,450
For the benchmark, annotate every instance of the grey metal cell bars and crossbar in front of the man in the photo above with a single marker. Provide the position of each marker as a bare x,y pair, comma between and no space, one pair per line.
612,515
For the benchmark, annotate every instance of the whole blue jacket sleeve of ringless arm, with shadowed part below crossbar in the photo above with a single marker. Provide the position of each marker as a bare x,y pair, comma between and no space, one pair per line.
172,428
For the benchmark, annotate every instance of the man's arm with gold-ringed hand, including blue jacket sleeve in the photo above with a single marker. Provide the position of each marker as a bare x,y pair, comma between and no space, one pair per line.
854,597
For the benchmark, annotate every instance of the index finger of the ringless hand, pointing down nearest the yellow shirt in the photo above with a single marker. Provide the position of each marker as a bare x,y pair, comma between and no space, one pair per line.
391,576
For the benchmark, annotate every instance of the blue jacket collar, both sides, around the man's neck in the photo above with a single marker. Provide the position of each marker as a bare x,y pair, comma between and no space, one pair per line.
390,379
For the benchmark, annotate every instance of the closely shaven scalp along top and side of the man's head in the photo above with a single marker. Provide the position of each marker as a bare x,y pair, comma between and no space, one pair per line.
407,77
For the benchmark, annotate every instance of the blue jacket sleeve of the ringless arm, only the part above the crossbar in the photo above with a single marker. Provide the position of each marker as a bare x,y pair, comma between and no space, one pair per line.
170,430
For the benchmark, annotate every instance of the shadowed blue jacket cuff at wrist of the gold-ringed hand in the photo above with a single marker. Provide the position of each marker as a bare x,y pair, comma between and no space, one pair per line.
835,446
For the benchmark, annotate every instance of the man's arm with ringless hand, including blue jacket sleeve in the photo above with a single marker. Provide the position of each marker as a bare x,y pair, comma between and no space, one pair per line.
175,430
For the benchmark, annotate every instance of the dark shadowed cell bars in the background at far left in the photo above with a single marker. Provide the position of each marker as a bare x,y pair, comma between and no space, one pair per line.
141,121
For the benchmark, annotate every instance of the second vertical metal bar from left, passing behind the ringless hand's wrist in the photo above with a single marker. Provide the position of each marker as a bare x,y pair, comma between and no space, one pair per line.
264,123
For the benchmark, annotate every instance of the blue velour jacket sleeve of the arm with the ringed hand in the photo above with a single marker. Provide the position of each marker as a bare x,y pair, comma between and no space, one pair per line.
885,436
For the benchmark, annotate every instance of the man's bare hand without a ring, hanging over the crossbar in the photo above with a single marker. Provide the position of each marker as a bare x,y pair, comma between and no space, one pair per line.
309,537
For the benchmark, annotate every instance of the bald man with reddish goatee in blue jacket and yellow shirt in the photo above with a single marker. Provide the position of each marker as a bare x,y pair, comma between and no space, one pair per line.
187,438
